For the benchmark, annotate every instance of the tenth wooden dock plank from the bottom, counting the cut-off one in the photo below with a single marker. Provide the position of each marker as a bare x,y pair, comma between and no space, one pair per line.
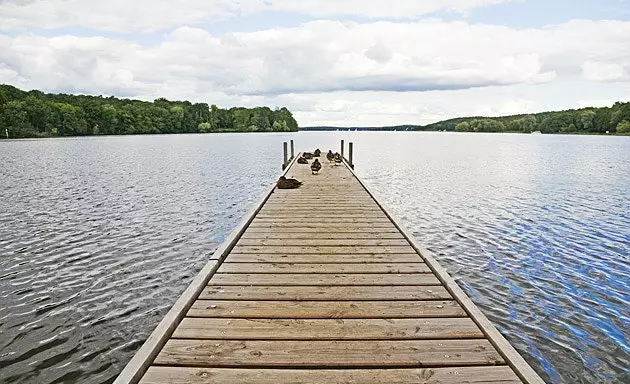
322,242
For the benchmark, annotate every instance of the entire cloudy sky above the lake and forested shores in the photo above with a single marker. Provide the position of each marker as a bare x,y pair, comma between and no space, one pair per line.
332,62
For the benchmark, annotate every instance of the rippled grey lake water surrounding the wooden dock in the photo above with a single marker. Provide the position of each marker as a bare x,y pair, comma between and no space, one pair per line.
99,236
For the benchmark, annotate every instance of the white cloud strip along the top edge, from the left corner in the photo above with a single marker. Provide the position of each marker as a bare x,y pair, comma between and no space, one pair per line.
152,15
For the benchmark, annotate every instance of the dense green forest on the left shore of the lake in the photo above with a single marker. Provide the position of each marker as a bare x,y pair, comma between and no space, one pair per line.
38,114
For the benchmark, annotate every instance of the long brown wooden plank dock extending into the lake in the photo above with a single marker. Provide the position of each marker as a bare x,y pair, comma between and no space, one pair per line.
321,285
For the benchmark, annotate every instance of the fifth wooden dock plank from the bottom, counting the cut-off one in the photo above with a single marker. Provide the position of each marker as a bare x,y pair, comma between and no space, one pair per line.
325,293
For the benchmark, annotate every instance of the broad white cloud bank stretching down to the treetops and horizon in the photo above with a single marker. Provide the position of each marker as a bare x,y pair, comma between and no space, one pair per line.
336,73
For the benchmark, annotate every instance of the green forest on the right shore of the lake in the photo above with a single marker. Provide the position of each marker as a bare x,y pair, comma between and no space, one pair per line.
613,120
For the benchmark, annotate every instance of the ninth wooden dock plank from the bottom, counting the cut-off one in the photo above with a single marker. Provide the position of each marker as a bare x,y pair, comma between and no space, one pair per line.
323,249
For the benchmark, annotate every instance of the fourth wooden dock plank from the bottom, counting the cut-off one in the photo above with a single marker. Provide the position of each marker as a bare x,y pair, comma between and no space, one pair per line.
326,309
